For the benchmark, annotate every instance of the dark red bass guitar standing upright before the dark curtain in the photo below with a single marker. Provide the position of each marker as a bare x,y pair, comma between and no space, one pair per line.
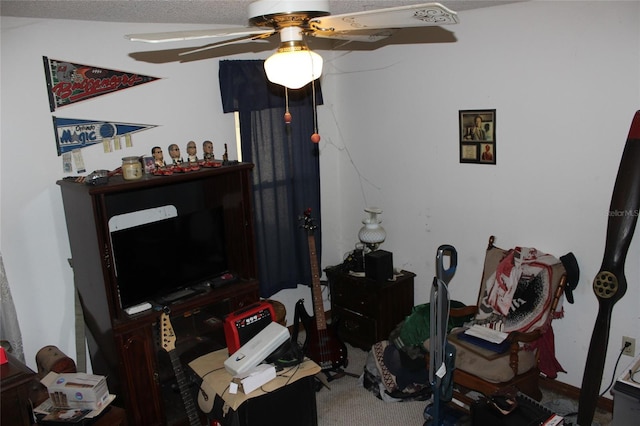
322,343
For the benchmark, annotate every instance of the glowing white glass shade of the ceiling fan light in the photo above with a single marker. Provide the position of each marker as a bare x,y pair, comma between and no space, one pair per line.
293,69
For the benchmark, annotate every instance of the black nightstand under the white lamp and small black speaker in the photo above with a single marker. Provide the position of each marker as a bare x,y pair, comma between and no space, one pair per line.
366,310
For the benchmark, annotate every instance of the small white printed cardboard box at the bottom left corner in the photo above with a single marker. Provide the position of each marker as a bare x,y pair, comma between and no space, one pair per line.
77,390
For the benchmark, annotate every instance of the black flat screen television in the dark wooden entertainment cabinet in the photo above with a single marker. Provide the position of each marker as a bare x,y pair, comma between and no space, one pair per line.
162,257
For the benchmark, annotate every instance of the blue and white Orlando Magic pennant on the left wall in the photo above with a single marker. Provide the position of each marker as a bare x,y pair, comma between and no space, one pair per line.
74,134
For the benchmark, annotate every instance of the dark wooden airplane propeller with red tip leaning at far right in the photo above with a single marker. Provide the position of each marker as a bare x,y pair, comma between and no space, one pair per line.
610,283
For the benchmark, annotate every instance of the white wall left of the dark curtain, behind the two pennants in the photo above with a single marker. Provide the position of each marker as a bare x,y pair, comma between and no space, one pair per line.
185,104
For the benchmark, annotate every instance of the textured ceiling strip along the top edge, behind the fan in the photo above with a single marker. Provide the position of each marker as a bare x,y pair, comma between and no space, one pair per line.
222,12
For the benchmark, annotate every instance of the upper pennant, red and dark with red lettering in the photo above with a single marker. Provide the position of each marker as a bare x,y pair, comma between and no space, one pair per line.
68,83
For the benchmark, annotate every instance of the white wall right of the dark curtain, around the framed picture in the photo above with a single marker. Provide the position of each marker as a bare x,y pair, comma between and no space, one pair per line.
564,78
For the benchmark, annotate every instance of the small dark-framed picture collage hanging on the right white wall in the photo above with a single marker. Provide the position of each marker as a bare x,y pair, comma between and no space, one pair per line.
478,136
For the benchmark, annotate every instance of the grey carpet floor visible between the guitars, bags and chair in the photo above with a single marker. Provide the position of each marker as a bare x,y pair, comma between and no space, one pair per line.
347,402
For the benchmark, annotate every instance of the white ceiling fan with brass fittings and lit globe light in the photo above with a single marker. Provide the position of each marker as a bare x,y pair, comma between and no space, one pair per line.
294,65
